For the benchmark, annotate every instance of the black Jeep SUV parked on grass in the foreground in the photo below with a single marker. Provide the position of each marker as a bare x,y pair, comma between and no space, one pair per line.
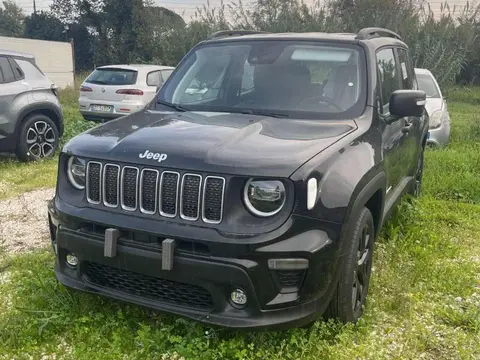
250,192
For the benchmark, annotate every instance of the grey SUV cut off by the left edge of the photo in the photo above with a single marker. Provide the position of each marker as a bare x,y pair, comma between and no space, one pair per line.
31,117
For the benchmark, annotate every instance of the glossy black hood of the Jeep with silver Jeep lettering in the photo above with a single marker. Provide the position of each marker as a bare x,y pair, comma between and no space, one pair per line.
212,142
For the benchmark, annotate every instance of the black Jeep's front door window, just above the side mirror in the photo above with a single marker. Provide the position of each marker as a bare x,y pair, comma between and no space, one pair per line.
389,80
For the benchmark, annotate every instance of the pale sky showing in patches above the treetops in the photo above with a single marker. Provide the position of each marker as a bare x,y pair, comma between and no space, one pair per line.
187,8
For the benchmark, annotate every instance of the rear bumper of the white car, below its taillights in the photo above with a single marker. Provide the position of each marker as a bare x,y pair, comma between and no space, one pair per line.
111,110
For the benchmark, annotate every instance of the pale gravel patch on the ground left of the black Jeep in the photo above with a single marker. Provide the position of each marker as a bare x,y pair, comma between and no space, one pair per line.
24,222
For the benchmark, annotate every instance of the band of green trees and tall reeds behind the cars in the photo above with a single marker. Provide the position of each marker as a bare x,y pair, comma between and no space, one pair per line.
126,31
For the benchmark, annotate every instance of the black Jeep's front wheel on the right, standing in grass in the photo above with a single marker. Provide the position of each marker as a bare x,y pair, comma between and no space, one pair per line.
350,296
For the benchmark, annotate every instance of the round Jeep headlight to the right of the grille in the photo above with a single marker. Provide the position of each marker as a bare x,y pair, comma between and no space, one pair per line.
264,197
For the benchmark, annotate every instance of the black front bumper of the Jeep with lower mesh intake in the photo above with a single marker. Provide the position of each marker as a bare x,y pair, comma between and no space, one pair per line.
199,284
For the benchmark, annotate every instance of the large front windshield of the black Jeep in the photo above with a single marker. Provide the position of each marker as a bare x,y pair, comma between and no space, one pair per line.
300,79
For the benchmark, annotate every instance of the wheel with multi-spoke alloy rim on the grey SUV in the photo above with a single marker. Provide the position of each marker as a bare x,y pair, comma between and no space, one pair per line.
38,138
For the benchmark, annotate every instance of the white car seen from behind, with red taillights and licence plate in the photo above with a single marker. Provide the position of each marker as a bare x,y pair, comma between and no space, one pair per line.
118,90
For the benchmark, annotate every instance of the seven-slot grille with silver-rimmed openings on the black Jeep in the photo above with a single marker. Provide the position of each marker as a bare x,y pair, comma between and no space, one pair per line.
169,194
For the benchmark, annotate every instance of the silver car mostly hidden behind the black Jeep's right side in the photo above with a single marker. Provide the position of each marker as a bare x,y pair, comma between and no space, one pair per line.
439,133
